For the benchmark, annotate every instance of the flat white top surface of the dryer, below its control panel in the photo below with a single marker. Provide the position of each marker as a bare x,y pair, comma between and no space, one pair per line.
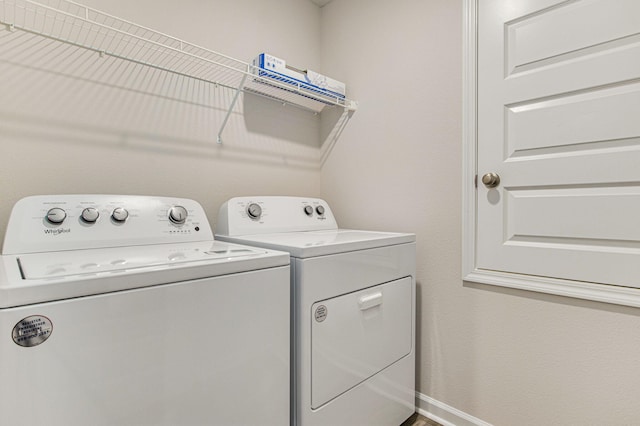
321,243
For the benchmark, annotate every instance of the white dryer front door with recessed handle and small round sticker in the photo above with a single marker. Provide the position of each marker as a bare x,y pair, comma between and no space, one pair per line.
356,335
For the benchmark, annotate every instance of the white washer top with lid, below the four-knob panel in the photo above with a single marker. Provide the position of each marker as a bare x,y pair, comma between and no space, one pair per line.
43,277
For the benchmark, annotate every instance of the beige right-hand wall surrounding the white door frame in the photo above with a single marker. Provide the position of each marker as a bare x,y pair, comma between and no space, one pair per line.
485,354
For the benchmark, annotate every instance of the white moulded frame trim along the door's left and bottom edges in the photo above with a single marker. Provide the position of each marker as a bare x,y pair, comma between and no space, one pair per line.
470,271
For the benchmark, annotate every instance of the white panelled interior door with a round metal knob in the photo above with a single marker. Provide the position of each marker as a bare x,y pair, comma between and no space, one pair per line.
558,119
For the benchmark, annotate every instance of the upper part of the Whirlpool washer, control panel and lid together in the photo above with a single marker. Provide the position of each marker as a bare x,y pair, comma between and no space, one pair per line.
64,246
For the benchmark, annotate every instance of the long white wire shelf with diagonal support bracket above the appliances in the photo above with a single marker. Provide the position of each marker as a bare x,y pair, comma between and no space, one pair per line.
90,29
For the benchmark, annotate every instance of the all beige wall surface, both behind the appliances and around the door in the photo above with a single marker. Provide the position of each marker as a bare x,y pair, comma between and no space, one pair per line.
504,356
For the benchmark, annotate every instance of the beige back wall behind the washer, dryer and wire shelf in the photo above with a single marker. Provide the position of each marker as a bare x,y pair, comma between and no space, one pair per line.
74,122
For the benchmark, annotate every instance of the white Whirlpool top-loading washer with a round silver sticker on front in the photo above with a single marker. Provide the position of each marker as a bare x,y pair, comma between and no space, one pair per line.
122,310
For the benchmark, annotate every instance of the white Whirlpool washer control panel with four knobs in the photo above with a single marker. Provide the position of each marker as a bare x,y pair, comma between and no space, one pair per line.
69,222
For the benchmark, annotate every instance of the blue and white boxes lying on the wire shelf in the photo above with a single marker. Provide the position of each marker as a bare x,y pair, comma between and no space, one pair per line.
276,68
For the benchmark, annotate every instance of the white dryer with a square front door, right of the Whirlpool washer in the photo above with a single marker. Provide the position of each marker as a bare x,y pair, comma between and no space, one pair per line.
353,309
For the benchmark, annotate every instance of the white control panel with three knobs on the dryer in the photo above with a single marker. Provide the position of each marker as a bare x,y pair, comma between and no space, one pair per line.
271,214
